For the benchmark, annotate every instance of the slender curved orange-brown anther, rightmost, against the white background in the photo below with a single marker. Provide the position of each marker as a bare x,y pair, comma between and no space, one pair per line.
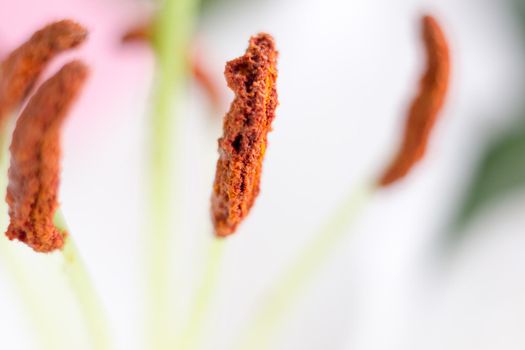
426,106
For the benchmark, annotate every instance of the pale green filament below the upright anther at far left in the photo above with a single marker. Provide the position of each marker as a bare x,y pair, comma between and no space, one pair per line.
83,290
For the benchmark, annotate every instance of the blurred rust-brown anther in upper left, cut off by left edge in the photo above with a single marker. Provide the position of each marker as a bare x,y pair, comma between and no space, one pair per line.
21,69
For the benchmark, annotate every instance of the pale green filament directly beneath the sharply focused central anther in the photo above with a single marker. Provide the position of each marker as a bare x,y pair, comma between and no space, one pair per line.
191,334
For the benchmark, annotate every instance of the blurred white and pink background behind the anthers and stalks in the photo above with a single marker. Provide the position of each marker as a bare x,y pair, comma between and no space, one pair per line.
347,72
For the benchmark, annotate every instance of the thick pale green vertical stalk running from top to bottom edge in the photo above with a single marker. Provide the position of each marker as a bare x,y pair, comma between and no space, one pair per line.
172,33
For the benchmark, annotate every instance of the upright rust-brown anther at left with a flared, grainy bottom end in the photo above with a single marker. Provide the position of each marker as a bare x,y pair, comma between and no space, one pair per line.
35,160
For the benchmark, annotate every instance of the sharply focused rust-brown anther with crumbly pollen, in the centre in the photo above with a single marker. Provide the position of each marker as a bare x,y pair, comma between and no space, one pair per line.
252,78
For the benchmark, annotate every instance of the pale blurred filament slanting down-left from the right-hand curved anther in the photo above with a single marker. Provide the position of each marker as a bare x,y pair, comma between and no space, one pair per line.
282,296
